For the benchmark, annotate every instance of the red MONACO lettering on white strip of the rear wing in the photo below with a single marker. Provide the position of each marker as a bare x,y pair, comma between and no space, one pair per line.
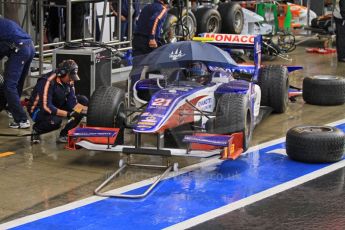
231,38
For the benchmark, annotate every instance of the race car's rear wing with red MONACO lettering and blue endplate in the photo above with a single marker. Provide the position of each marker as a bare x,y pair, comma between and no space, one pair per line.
236,41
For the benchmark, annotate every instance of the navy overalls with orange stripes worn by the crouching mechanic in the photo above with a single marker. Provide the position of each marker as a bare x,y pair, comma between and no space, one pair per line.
49,99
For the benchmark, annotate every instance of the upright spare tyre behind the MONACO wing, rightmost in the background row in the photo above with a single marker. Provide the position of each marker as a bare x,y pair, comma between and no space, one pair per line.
232,17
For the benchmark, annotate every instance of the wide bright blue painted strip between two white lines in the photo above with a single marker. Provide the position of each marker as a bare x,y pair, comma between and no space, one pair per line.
188,195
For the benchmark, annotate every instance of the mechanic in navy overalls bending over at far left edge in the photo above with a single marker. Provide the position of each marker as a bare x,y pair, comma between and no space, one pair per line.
17,45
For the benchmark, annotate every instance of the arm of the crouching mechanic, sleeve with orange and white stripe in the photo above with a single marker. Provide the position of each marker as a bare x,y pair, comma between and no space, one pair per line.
47,99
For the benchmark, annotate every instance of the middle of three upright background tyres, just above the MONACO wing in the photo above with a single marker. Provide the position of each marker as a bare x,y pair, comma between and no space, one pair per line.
208,20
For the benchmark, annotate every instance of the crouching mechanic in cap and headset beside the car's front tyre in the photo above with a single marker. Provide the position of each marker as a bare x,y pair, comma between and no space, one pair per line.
53,99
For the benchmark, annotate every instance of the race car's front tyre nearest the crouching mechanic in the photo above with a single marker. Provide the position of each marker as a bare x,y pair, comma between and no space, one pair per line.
106,109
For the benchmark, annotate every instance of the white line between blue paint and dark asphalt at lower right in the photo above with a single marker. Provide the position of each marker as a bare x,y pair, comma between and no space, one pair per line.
257,197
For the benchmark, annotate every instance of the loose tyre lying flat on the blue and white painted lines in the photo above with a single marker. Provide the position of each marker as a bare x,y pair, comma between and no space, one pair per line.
315,144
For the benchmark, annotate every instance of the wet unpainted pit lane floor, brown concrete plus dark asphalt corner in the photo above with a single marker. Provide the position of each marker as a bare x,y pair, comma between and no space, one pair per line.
45,176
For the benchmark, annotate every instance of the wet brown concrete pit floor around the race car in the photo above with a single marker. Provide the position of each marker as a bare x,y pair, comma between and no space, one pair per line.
44,176
